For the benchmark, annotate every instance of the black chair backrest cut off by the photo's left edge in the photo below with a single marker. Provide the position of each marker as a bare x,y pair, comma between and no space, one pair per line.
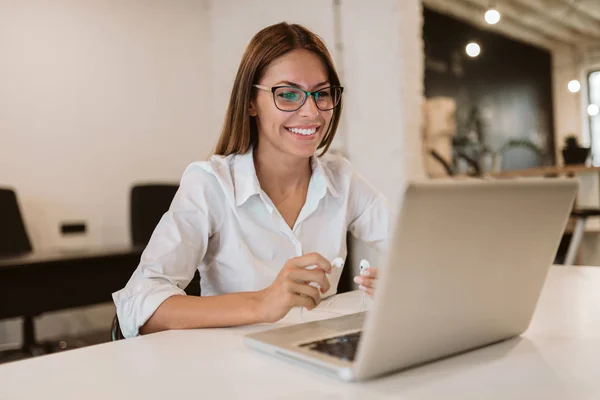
13,235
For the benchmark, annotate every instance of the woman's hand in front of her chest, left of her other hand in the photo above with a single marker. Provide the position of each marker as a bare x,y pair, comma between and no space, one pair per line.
291,287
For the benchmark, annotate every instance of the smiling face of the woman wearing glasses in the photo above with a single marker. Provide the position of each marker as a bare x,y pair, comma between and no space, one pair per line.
297,133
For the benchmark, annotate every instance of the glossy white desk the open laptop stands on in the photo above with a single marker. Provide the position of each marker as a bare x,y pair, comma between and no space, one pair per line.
557,358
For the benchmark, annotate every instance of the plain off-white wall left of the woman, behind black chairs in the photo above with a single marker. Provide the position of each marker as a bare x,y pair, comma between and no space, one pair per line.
97,95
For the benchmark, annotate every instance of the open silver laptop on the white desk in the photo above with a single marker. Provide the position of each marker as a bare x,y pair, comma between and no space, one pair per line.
466,264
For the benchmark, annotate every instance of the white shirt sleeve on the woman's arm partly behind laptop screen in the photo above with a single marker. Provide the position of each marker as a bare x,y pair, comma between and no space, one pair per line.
369,214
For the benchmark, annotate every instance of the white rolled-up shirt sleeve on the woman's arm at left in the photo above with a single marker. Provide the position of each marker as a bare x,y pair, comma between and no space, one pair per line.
170,259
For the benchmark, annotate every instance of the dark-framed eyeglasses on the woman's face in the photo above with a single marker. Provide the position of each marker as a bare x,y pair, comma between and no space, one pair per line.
290,98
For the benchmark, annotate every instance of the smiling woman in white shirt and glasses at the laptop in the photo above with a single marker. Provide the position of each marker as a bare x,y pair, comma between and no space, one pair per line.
264,207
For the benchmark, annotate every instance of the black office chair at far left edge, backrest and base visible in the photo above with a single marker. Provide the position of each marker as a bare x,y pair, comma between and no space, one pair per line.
14,241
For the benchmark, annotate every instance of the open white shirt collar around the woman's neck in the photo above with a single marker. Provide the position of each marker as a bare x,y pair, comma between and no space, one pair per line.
246,182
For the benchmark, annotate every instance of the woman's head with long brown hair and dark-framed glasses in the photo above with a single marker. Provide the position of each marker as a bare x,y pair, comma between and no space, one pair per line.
292,64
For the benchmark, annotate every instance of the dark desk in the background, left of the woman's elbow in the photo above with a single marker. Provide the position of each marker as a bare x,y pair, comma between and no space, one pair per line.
49,281
